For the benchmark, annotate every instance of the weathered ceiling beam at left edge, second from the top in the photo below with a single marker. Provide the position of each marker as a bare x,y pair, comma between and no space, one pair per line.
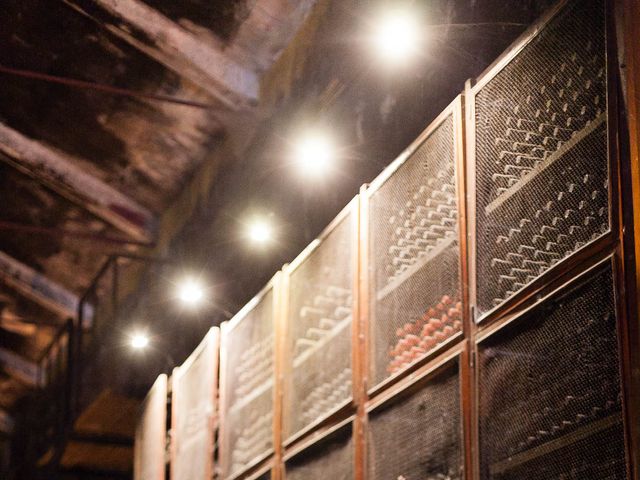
59,172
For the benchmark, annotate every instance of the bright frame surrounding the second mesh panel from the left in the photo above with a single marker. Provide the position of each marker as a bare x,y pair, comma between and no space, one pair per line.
208,350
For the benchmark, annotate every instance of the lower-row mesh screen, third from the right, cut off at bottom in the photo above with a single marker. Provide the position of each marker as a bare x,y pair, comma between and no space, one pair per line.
331,458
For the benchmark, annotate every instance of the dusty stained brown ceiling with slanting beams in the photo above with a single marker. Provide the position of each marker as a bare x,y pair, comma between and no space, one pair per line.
90,159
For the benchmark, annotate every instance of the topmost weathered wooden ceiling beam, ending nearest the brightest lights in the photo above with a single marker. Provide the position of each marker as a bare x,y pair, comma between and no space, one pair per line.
195,58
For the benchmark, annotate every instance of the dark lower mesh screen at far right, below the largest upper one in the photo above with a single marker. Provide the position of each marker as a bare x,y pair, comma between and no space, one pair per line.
550,400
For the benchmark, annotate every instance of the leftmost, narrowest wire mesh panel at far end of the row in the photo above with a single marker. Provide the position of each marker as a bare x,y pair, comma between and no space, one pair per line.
150,437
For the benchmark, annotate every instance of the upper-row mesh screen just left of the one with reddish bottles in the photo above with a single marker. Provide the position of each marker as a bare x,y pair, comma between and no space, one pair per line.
320,311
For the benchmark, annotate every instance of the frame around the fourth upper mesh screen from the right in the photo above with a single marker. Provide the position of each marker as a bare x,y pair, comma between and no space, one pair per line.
258,463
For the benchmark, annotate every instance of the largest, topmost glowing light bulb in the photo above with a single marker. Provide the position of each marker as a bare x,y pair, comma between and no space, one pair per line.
396,37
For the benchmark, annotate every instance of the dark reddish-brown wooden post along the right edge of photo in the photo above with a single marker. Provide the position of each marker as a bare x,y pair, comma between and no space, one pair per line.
624,137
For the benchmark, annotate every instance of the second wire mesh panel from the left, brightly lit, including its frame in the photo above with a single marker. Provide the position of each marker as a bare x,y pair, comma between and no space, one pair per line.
194,390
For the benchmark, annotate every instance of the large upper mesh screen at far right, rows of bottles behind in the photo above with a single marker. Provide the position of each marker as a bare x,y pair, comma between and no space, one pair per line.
541,154
